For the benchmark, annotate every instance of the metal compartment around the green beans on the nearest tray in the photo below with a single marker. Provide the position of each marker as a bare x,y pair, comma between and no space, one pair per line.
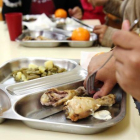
7,68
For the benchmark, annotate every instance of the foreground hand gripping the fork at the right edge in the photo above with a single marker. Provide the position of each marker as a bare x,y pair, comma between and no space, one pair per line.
127,55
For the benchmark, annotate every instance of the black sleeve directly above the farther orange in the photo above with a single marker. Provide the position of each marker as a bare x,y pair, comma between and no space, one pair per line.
66,4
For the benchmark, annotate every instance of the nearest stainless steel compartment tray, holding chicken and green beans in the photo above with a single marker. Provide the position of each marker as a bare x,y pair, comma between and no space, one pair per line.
21,101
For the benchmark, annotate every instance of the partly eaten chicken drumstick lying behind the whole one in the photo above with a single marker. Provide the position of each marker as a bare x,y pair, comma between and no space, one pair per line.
54,97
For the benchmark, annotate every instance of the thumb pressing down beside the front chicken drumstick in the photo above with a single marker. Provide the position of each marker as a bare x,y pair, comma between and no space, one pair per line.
105,89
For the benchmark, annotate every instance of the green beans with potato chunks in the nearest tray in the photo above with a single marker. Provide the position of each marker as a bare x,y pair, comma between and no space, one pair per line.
33,71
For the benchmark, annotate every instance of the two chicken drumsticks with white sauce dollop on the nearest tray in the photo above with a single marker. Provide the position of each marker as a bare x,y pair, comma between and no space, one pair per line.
75,107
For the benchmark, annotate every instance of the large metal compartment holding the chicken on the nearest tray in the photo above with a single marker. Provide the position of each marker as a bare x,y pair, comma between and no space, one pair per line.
30,104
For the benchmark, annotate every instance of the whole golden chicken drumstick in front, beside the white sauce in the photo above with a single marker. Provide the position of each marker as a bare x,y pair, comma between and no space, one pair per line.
82,107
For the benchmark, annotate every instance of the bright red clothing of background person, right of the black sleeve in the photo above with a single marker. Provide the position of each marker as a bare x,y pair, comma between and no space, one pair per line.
92,13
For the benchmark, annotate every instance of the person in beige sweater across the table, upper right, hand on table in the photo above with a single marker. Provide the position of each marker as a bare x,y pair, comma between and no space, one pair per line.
119,9
